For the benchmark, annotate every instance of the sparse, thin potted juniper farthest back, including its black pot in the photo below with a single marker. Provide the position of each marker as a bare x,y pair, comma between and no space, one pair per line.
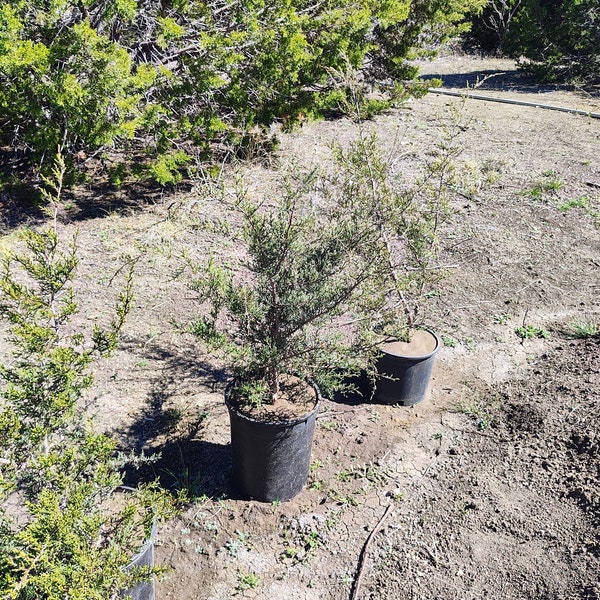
402,247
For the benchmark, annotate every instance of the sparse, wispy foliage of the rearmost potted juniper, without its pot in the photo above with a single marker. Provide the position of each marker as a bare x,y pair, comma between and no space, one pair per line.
401,224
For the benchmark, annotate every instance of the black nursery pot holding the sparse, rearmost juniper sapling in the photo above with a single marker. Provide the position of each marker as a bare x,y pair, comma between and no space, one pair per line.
404,373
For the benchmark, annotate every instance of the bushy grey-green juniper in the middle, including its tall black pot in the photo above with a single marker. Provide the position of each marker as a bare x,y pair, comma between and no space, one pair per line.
275,319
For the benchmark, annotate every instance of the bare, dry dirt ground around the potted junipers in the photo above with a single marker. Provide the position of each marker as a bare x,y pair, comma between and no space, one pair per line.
488,489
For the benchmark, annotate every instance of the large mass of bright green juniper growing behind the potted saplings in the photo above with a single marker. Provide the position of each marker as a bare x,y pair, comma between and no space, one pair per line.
92,75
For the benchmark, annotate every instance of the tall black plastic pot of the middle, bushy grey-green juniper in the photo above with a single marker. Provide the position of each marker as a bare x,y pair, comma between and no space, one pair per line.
270,461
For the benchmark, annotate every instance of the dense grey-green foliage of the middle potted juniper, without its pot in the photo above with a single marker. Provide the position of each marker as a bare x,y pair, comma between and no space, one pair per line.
280,314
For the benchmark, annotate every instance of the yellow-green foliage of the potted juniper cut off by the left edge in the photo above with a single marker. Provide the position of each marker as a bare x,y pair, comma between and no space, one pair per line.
75,532
